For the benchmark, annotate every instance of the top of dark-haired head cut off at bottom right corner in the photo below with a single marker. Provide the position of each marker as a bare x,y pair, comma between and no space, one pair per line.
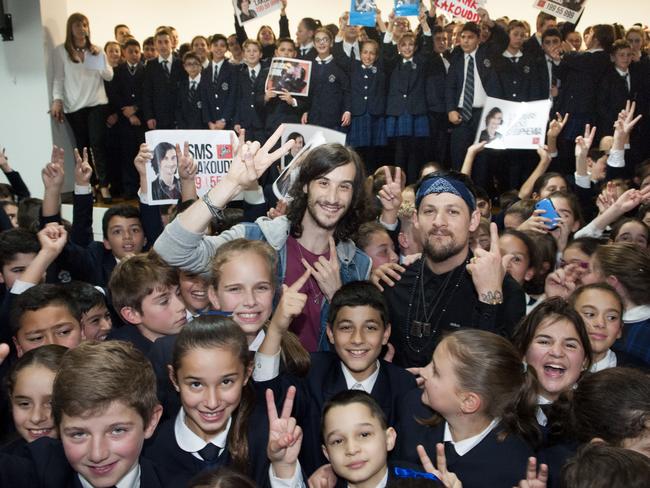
597,465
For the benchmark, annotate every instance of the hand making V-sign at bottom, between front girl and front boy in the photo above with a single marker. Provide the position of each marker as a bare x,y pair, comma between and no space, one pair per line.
285,435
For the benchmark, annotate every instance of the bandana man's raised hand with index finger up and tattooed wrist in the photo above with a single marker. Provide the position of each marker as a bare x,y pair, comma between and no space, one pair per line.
488,269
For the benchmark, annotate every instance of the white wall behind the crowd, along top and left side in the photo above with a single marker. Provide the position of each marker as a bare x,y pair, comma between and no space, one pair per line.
26,130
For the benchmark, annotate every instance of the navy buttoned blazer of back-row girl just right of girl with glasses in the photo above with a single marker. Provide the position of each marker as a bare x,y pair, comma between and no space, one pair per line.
368,89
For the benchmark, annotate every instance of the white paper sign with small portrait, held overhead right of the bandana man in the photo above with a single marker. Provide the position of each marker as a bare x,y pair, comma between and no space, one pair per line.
513,125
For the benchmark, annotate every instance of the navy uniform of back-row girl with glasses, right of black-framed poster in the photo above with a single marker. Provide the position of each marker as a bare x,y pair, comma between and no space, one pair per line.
329,94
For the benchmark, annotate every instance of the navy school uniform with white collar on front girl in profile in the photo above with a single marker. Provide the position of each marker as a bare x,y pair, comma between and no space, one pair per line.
479,462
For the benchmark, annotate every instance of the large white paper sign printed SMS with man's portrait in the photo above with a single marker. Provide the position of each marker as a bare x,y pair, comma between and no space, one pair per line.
211,149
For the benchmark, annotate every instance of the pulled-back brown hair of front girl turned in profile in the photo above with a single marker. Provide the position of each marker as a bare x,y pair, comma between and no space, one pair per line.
490,366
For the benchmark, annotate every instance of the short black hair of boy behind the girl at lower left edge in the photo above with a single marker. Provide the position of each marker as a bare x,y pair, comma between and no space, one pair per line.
38,297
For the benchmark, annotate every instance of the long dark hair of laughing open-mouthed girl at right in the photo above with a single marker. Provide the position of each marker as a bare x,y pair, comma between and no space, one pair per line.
550,310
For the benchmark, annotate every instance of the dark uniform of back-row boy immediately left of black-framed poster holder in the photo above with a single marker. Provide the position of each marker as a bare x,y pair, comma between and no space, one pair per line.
250,110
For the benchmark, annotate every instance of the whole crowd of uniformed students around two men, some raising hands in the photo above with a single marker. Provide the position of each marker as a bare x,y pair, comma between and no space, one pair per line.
460,317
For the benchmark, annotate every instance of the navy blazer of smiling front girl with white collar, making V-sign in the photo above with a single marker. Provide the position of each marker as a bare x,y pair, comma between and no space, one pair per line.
179,467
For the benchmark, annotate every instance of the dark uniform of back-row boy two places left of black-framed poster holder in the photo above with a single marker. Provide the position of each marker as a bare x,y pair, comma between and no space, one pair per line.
218,92
